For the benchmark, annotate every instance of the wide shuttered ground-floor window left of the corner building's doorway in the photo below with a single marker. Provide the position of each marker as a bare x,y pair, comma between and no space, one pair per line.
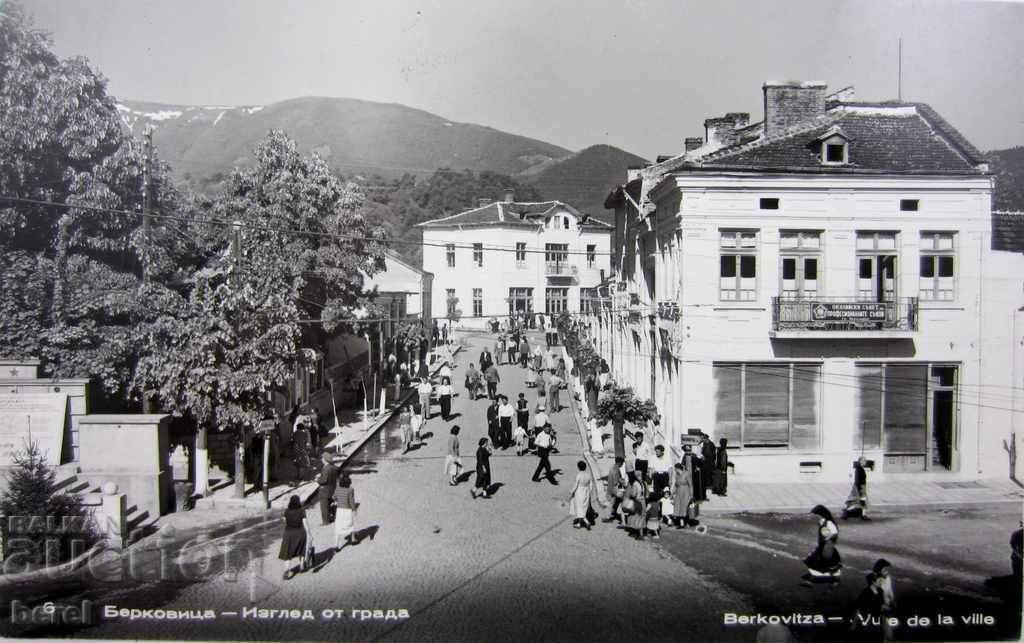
773,405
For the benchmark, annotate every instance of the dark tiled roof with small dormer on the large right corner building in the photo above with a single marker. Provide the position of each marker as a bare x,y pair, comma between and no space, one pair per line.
885,138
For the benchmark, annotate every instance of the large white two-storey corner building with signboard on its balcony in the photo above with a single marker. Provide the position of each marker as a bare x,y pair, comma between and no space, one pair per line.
818,287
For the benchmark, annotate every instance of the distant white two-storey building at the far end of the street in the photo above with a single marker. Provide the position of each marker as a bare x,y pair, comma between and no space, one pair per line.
508,258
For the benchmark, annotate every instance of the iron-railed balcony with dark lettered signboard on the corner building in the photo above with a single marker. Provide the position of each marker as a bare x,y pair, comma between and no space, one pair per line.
843,317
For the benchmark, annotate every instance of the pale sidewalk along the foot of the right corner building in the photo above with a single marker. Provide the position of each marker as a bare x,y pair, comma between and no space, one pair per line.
799,497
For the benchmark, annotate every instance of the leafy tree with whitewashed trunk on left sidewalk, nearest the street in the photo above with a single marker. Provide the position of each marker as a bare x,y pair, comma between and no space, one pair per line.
304,246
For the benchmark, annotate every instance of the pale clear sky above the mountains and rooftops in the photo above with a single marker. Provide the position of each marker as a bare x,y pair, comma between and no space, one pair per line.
636,74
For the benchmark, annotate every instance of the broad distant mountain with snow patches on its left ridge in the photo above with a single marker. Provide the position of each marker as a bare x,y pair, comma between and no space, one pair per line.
203,144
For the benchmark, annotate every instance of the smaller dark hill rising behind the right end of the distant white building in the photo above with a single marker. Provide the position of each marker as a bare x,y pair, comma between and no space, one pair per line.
585,179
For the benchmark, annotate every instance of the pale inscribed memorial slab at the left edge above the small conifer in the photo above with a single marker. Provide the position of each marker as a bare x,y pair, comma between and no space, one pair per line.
39,417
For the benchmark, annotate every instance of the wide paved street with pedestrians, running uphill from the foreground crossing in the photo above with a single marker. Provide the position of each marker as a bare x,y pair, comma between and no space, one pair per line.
513,567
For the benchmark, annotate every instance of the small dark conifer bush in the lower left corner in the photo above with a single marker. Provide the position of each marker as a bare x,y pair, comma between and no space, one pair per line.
45,526
